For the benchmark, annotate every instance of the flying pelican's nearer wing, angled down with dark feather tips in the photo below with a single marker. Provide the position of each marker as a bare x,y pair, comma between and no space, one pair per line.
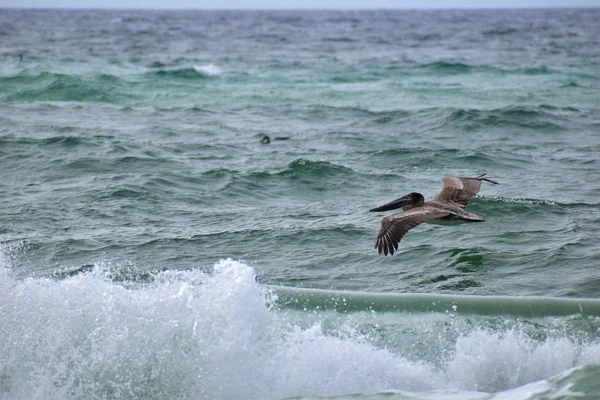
393,227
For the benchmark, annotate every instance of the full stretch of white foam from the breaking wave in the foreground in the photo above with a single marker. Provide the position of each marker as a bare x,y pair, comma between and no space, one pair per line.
194,335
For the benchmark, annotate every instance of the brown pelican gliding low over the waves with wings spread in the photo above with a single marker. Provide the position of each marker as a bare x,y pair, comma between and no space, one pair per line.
448,206
